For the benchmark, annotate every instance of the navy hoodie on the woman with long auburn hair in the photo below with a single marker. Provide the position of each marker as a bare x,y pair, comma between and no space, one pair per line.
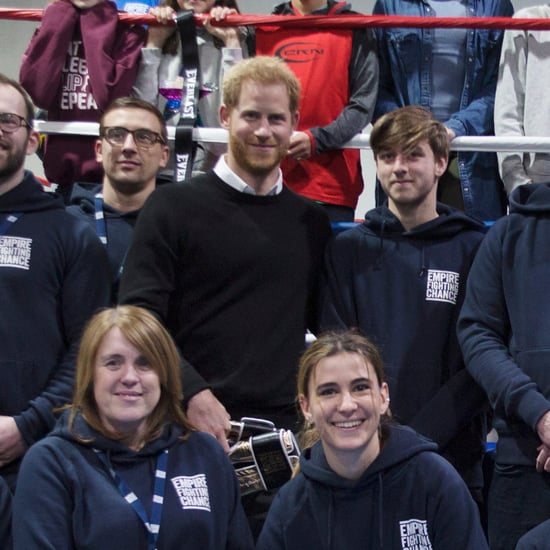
67,499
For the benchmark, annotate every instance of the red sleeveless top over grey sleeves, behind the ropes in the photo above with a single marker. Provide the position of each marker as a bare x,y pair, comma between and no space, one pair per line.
321,61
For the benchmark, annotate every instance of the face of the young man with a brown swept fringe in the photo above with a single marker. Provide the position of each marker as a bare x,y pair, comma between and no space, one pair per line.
410,179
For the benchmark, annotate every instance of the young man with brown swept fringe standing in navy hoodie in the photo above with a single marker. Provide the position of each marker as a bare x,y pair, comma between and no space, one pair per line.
400,278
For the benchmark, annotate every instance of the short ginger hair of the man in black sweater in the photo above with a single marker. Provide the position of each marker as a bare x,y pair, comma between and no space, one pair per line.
263,70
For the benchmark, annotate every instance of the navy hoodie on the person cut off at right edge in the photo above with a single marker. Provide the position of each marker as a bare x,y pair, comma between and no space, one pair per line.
504,327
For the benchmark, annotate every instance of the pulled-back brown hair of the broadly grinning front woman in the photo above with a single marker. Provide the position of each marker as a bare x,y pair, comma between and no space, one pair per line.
328,345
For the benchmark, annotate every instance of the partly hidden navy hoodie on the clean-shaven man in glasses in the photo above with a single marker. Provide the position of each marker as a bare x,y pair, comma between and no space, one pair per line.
119,226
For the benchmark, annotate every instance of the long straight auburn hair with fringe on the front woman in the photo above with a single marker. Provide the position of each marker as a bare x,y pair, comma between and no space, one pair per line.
145,332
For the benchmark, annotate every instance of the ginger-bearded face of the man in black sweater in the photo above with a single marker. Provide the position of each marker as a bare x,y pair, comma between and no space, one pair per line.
260,127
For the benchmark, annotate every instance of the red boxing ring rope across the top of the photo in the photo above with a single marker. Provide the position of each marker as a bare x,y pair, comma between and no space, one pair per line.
324,21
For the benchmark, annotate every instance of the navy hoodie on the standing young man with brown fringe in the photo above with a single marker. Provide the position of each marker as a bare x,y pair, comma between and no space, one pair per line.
404,289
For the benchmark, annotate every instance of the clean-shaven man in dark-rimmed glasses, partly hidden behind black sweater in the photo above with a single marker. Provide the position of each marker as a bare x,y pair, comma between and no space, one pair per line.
132,147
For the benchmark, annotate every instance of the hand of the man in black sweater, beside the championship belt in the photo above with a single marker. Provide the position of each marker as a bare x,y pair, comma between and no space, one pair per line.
207,414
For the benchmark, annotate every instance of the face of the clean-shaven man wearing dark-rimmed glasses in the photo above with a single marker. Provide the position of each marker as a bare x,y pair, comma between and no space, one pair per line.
130,169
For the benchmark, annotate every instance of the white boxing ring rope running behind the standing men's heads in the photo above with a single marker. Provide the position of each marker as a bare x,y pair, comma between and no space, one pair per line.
360,141
